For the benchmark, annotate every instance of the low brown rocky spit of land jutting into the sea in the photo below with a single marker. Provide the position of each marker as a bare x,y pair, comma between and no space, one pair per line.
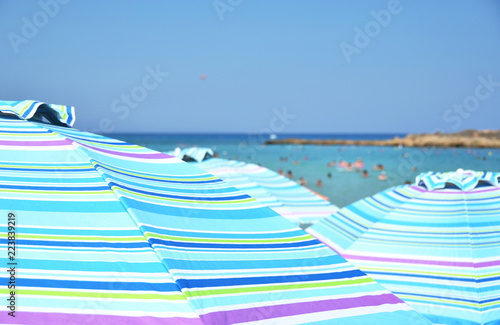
463,139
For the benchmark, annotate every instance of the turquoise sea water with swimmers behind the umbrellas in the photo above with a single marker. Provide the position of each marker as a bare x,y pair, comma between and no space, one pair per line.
310,162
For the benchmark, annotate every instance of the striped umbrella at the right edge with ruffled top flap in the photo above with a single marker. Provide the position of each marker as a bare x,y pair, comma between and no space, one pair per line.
435,244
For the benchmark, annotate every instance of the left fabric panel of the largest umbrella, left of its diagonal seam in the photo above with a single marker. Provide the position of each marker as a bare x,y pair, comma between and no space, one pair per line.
79,256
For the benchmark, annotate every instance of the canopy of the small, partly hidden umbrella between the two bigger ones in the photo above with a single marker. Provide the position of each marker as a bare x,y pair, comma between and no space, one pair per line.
291,200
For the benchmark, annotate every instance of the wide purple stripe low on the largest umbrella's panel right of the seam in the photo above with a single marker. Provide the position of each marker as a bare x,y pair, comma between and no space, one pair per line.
301,308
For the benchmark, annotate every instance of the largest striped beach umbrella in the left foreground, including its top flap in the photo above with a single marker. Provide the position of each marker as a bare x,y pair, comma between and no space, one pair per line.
106,232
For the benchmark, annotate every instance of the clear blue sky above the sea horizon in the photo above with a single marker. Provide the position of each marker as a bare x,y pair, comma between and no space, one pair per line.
257,55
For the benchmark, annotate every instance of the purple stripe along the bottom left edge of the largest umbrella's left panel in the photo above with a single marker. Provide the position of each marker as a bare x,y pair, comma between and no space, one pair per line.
23,317
